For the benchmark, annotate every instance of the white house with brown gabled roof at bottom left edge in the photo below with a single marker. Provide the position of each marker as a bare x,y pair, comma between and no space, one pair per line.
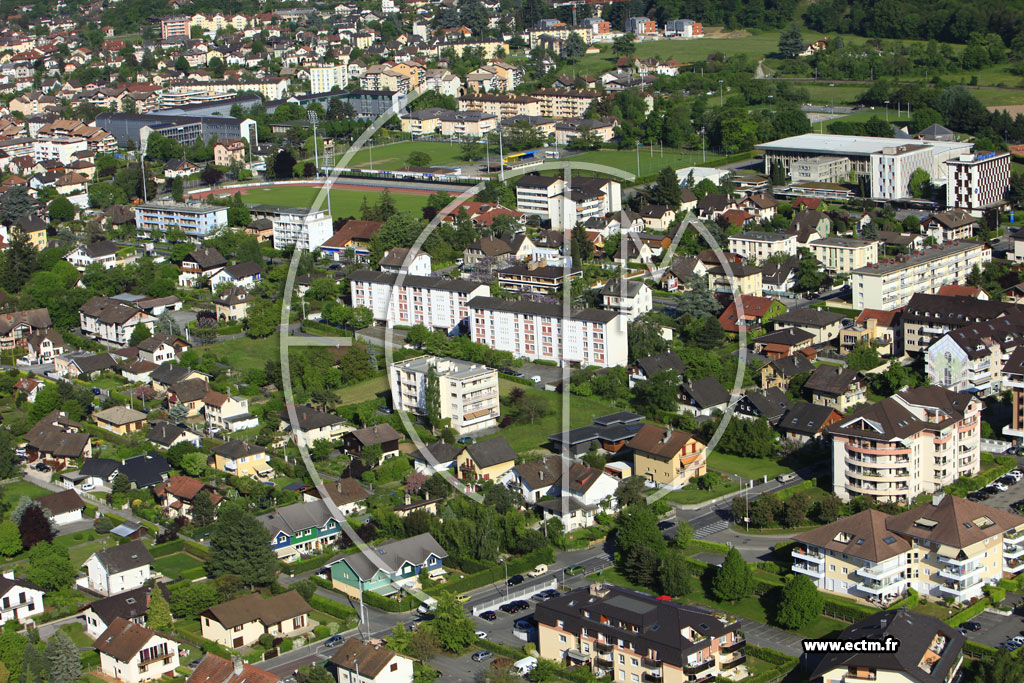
133,654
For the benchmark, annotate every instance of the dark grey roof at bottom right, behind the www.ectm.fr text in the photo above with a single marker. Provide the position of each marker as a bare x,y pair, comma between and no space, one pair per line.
915,632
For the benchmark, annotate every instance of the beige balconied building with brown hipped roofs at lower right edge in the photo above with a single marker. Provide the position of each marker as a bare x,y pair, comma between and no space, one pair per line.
951,548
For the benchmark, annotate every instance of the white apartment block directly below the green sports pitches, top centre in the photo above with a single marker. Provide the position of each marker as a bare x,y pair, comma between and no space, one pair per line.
552,200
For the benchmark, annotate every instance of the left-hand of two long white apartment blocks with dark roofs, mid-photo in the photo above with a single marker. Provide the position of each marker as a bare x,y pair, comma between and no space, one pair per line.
398,300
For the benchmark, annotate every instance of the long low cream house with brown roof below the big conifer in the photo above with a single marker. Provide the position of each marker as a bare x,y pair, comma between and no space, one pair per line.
241,622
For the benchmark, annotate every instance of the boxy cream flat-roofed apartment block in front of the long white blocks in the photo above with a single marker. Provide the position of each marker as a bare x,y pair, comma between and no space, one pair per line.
468,392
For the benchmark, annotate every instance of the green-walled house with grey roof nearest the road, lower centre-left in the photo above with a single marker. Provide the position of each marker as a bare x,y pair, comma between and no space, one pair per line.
393,566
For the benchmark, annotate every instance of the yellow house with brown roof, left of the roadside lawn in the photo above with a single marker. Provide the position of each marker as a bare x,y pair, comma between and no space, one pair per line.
668,457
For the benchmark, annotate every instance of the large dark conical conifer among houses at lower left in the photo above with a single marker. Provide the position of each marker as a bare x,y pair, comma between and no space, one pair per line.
241,545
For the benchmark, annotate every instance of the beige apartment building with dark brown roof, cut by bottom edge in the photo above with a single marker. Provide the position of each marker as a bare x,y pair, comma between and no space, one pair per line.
626,635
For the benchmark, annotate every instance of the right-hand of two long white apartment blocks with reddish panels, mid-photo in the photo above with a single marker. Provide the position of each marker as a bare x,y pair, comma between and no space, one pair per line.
532,330
